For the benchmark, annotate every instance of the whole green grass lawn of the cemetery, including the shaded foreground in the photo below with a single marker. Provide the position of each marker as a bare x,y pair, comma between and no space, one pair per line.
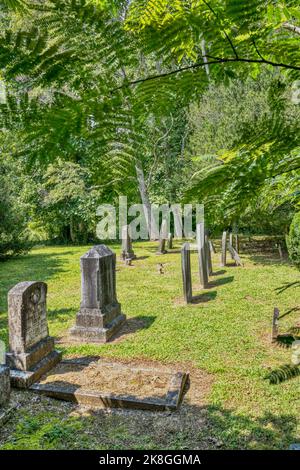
223,340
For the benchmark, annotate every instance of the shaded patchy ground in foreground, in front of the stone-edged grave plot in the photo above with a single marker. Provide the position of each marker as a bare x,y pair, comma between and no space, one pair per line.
191,427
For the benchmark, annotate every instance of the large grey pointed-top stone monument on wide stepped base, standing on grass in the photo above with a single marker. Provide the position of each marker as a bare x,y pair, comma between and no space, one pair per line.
100,314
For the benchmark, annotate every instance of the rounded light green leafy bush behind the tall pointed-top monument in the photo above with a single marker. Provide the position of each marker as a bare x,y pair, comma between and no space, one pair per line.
65,203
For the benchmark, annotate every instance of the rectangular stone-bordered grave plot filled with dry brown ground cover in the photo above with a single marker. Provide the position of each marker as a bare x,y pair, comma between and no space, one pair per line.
101,383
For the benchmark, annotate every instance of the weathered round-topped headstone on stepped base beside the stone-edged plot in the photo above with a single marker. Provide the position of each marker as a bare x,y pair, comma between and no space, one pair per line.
31,349
